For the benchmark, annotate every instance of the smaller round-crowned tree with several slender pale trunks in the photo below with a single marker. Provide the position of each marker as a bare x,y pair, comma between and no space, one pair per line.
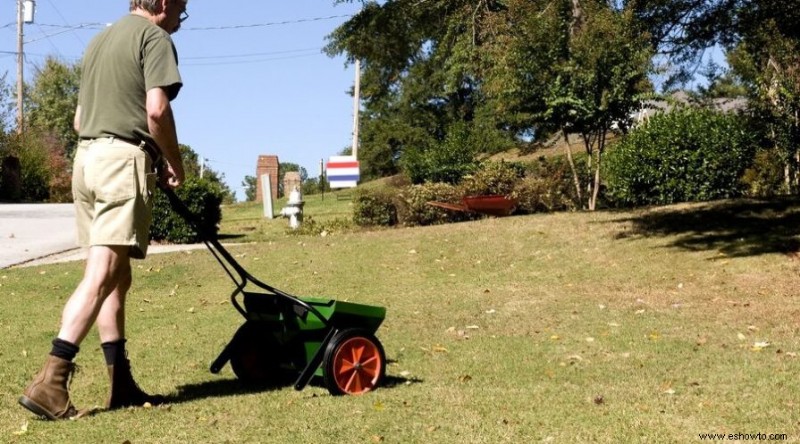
569,67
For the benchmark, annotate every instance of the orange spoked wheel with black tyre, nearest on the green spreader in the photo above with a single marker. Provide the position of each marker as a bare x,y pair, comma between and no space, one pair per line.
355,363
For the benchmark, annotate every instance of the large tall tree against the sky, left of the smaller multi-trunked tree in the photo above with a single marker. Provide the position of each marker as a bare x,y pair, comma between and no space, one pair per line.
419,75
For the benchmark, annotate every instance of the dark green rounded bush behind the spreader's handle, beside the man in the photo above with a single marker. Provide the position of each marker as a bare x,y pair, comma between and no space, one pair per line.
203,199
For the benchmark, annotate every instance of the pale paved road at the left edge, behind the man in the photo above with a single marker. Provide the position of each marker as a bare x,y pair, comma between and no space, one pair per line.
32,231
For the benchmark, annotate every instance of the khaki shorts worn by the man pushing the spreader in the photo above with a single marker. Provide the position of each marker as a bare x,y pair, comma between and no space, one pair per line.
112,184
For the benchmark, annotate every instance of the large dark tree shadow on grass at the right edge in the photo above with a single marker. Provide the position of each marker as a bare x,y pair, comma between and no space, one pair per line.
742,227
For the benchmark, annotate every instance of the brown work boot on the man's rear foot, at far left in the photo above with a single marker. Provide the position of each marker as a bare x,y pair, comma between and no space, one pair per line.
48,394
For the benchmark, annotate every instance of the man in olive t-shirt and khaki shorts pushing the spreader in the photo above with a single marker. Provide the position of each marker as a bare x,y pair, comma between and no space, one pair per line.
125,123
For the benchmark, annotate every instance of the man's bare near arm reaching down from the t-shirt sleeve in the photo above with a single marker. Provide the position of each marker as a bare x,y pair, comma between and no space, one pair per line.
161,124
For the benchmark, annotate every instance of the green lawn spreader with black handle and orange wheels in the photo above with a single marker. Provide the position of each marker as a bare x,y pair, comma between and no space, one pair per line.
287,338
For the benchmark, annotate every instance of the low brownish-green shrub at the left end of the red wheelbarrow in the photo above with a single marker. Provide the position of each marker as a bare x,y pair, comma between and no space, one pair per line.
413,208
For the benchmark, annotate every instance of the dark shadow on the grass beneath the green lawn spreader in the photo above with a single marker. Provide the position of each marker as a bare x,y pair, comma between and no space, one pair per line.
232,387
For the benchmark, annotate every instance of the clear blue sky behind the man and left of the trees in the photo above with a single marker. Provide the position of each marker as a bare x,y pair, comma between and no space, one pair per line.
260,85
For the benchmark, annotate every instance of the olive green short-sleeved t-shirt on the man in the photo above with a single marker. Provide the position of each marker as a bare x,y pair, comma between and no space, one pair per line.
120,65
